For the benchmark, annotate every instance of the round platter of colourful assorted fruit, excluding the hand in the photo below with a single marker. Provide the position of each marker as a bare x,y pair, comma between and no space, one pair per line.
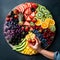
26,21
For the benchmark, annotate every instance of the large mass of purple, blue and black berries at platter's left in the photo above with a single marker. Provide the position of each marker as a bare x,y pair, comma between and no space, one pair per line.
13,31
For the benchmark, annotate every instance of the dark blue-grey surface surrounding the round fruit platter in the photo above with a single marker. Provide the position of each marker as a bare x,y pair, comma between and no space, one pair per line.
6,52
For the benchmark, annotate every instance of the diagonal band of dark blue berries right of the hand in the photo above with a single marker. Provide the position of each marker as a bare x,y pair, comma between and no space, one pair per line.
41,38
